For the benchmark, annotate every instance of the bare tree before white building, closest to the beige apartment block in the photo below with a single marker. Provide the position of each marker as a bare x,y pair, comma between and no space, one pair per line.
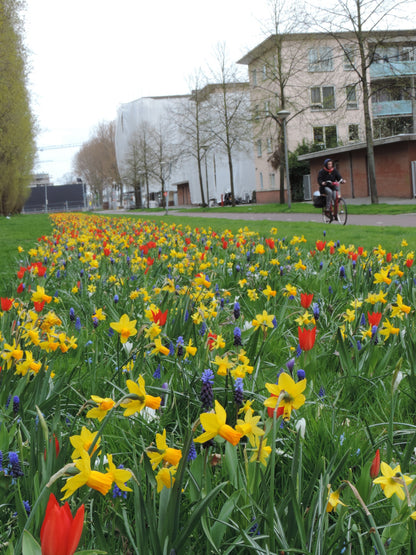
228,104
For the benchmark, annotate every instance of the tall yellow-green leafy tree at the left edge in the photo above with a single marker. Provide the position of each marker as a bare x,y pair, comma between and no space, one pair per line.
17,145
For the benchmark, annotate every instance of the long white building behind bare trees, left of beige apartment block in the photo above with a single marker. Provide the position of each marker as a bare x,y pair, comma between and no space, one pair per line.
165,114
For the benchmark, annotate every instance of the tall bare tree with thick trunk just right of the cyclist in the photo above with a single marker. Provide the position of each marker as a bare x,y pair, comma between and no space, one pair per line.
364,21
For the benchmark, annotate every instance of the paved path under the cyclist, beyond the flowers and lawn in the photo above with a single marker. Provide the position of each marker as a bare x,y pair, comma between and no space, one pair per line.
380,220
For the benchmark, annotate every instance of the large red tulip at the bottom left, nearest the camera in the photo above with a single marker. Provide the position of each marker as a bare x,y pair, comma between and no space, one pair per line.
60,532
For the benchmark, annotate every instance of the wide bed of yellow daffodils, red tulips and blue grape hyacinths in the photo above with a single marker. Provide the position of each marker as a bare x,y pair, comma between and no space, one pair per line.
206,392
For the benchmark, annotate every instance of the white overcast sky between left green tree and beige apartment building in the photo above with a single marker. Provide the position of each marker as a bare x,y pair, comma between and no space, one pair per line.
89,56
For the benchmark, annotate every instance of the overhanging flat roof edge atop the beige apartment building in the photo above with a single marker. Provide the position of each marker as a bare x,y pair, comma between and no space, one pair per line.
258,51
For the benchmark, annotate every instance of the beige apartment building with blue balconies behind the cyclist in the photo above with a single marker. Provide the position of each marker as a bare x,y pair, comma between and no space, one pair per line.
313,76
